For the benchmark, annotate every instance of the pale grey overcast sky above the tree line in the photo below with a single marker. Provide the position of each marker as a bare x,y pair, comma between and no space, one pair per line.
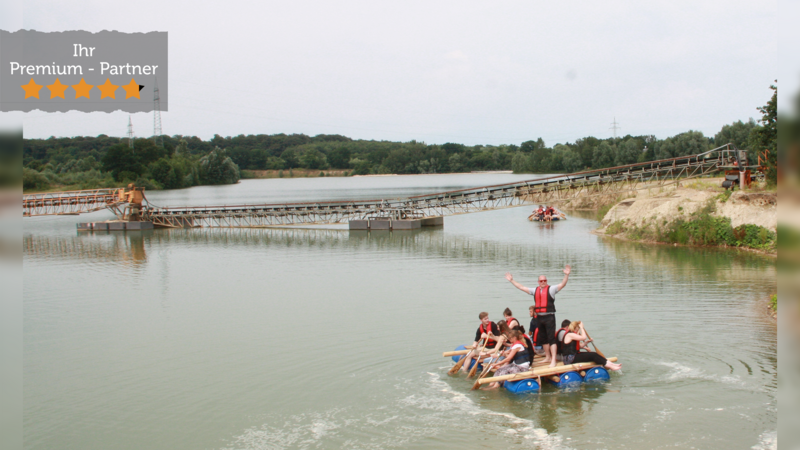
435,71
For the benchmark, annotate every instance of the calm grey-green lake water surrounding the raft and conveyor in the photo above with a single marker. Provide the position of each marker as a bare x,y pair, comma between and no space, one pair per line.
325,338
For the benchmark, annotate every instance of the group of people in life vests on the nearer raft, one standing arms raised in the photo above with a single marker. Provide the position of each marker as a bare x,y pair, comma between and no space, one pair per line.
511,350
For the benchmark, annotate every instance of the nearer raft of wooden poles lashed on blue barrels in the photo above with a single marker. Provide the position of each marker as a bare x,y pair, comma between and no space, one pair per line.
561,375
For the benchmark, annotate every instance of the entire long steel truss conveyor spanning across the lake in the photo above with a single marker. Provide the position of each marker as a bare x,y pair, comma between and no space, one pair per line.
550,190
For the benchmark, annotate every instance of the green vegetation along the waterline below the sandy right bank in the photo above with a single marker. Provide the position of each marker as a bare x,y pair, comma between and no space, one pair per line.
700,228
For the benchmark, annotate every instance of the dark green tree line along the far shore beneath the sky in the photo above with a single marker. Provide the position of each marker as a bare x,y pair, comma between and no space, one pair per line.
185,161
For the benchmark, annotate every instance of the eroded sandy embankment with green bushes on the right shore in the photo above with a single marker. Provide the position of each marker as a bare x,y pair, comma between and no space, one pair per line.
696,216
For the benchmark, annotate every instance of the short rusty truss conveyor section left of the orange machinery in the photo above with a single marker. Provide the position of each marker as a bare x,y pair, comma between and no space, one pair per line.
70,202
